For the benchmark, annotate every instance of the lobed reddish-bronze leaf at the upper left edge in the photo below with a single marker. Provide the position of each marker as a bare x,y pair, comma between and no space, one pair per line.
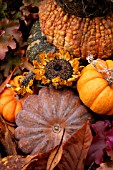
9,34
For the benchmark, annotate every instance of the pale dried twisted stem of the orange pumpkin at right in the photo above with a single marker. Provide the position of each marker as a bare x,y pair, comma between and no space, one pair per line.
101,67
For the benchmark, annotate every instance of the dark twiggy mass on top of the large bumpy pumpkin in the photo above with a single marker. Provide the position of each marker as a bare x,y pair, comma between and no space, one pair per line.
86,8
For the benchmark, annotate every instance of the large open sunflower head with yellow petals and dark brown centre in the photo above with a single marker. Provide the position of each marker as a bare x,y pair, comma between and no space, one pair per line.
60,68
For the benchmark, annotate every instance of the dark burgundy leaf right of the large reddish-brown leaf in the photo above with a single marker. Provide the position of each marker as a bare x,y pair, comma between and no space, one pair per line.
99,144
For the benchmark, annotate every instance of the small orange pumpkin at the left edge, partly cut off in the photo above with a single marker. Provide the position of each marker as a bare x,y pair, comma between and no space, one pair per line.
10,105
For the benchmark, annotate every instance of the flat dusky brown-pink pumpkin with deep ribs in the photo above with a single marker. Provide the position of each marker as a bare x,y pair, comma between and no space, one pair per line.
48,117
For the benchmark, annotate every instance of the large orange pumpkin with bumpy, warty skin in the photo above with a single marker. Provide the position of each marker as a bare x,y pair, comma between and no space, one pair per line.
79,36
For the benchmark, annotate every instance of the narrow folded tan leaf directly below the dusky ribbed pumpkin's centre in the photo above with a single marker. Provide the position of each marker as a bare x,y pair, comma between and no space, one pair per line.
54,157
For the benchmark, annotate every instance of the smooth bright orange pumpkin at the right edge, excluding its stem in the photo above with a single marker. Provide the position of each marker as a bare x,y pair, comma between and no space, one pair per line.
94,91
